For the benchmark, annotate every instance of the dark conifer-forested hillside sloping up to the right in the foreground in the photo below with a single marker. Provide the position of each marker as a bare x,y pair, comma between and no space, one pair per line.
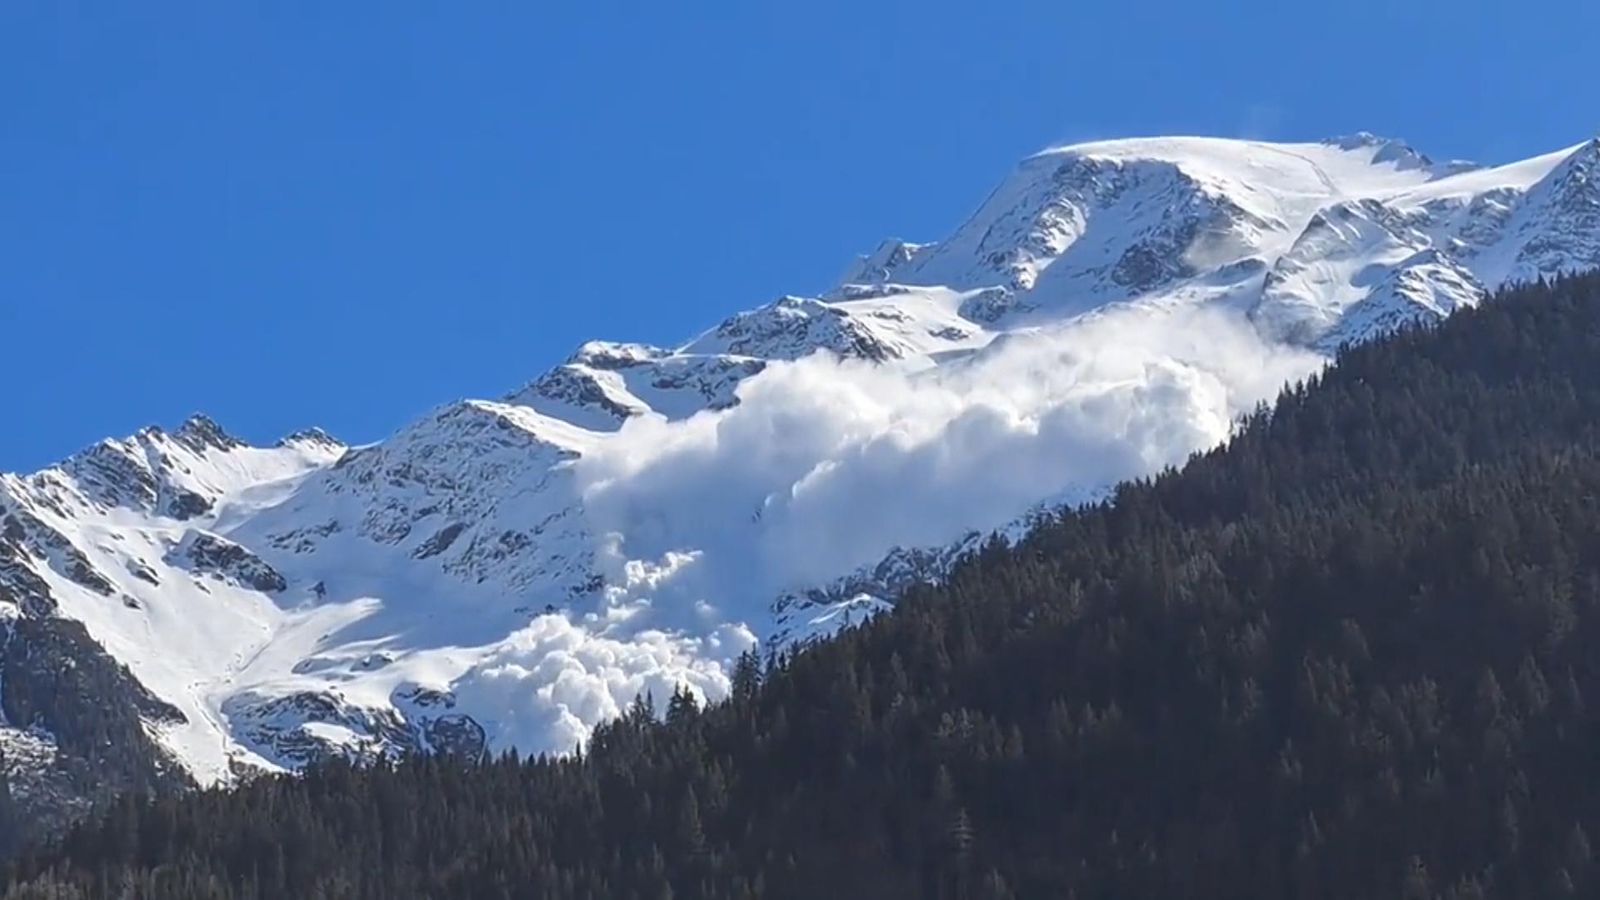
1350,656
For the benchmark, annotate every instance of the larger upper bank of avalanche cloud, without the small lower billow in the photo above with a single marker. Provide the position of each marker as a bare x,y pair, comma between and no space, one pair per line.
831,464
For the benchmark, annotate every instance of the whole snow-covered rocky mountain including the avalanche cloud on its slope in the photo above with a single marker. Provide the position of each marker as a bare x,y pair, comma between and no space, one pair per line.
513,573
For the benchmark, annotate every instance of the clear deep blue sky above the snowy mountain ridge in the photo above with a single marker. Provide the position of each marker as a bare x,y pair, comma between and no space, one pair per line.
343,214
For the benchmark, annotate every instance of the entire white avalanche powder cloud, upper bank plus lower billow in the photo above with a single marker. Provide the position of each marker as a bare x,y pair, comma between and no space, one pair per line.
826,465
